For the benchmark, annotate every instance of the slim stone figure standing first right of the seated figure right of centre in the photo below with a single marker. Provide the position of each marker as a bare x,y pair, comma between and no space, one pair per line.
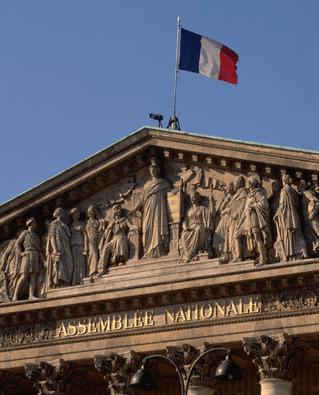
222,242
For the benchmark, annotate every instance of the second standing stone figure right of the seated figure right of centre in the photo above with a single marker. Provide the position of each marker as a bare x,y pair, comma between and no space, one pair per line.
237,206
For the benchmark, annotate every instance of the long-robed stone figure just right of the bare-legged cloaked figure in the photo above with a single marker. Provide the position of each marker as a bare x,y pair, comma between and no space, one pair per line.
290,243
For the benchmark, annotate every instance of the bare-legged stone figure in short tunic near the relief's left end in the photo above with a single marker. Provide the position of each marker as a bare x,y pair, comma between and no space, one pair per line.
29,248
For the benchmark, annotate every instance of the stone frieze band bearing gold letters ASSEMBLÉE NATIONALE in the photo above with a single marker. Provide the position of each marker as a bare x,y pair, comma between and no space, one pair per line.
211,312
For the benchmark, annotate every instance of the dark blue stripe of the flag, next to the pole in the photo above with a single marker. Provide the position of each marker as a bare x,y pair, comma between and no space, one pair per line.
189,51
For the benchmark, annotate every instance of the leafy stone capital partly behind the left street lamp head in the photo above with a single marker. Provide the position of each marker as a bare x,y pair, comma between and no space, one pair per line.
117,370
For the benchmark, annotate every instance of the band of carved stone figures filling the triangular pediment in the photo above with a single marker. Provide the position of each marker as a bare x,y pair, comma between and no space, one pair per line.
166,210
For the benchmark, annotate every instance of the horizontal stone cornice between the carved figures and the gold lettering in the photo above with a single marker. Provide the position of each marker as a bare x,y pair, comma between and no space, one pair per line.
229,282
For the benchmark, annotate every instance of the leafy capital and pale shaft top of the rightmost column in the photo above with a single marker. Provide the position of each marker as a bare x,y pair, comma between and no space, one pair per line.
277,359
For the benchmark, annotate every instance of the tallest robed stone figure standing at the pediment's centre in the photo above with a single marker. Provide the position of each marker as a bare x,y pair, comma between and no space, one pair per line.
153,205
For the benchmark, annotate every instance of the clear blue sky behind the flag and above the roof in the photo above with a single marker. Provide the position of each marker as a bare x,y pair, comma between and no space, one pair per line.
78,75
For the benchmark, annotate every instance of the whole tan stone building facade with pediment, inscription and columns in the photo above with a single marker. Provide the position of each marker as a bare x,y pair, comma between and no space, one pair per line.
165,243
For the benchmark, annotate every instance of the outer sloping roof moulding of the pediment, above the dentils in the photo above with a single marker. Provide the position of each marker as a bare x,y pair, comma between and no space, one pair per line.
145,138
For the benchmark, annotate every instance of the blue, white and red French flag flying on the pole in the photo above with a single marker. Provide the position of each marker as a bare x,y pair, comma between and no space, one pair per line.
207,57
